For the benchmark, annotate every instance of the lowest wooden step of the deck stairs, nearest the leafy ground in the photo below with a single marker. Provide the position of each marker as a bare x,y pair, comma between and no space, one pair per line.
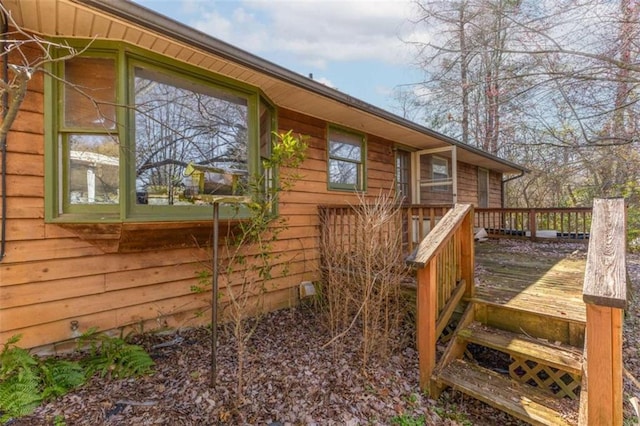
522,401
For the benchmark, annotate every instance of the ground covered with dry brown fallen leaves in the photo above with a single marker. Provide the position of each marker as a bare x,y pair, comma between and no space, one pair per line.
293,379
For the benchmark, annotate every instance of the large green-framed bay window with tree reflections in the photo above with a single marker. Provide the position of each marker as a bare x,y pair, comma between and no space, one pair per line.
137,138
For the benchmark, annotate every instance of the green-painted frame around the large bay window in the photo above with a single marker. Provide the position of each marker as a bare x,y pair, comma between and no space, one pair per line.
124,206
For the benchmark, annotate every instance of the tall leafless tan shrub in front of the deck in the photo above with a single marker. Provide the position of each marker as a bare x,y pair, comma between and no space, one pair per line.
362,271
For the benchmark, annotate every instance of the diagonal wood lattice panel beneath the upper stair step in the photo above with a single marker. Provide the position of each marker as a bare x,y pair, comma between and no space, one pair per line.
558,382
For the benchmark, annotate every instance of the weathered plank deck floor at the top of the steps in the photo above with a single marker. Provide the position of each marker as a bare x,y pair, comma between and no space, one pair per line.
532,288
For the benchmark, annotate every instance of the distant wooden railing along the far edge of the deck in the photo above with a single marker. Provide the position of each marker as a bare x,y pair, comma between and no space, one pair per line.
570,224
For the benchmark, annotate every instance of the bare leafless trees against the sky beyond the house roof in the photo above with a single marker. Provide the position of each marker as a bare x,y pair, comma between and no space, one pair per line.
510,75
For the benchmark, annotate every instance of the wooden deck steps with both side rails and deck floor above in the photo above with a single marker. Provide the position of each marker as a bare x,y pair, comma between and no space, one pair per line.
542,317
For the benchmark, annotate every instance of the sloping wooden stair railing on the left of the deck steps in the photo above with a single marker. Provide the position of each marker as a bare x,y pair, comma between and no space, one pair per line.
444,260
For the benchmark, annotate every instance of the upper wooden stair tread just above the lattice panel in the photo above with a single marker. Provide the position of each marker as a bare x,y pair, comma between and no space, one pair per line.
564,357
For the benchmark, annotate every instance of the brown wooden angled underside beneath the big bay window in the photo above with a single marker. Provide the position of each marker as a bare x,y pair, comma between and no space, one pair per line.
127,237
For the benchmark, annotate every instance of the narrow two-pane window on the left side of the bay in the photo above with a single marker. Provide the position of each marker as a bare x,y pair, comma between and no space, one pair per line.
88,136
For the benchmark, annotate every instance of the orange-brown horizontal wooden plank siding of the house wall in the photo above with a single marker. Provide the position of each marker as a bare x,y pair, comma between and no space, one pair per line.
139,275
